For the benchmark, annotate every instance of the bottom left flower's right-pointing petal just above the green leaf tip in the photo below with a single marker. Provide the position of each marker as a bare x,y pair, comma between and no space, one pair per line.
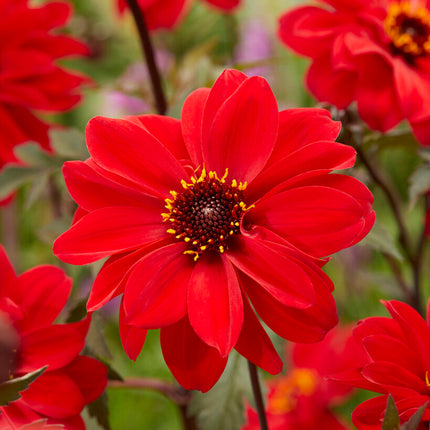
55,345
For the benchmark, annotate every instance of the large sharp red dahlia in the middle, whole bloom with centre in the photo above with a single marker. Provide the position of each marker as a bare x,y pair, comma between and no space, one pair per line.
230,206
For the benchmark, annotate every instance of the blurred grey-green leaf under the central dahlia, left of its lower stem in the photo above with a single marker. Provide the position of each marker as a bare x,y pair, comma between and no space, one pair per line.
222,408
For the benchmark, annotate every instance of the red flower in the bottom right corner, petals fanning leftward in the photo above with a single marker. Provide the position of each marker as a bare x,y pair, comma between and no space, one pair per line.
398,350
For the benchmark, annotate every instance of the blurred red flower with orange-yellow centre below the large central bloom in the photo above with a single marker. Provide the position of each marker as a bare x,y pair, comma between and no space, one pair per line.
304,397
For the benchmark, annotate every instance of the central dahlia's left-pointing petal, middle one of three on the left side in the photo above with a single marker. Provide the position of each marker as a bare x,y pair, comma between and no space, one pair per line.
91,190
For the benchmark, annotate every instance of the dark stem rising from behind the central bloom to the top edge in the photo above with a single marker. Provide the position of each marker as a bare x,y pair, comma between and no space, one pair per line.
148,52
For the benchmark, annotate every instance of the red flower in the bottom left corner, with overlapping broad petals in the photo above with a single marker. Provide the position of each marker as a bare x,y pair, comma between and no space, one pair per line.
32,301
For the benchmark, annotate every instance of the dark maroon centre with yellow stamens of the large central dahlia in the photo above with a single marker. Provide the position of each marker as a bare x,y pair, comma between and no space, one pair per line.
206,213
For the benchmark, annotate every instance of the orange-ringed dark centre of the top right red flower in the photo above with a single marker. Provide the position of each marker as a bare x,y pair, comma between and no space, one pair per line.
409,29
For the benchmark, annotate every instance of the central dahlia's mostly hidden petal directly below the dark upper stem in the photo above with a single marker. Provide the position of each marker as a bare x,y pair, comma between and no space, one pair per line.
166,130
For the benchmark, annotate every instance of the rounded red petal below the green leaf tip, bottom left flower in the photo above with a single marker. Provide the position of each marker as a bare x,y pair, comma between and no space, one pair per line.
63,402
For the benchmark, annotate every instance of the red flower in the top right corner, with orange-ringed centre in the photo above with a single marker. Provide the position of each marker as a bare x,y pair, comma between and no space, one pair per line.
374,52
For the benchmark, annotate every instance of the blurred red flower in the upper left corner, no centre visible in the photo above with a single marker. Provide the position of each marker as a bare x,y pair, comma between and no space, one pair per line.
30,79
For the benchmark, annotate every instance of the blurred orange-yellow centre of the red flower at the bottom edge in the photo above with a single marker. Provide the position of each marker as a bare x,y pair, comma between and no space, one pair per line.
300,382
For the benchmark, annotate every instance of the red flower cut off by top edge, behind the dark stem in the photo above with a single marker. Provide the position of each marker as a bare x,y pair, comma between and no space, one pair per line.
168,13
